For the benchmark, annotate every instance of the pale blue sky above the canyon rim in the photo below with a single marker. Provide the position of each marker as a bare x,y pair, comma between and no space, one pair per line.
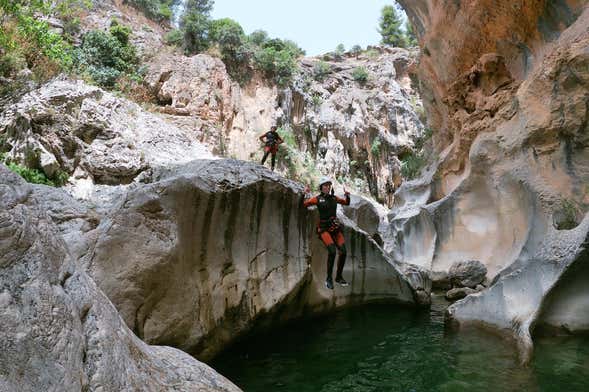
317,26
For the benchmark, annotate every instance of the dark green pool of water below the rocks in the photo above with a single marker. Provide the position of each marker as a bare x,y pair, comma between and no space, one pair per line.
387,348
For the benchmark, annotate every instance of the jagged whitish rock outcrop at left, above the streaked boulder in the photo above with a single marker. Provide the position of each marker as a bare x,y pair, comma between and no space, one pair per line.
91,135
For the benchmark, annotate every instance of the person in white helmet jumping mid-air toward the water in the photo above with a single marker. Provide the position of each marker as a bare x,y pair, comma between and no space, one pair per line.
328,227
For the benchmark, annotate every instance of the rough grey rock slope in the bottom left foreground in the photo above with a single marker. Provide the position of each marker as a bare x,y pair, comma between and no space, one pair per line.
58,332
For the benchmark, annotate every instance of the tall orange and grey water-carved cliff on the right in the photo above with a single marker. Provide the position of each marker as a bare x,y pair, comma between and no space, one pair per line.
506,87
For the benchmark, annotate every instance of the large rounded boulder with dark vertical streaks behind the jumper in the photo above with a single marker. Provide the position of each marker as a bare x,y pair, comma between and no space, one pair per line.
211,249
